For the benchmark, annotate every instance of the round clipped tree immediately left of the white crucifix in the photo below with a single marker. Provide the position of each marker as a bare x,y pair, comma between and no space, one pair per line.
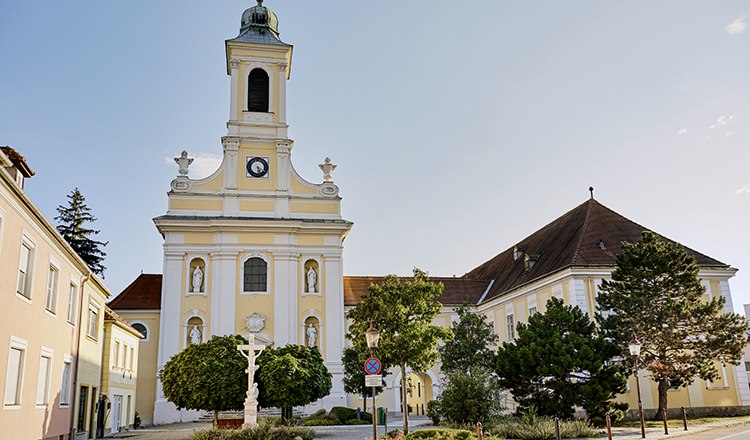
208,377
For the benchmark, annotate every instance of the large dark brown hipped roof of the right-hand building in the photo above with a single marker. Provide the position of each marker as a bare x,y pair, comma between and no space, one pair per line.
571,240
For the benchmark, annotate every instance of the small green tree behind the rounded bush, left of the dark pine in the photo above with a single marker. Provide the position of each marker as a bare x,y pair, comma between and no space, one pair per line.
470,349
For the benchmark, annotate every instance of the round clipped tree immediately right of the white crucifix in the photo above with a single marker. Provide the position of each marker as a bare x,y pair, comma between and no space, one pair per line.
290,376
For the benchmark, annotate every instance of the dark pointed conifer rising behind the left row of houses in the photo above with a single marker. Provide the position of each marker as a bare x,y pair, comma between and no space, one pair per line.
71,220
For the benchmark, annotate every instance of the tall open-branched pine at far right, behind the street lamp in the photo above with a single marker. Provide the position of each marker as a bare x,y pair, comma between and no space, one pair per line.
655,294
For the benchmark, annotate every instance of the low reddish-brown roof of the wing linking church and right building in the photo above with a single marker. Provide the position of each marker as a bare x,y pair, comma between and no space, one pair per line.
457,290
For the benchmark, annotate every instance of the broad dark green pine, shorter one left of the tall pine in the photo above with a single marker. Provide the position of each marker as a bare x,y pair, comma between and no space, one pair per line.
559,361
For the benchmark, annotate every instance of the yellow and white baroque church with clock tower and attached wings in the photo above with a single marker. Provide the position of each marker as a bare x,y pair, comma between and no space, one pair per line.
254,248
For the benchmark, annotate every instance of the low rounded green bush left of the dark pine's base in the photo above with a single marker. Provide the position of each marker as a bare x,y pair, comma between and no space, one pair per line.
469,399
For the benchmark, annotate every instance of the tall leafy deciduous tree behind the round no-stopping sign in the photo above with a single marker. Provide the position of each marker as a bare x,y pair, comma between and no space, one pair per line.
403,312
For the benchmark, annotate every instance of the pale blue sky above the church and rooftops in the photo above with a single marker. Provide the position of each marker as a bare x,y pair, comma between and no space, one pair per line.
458,128
